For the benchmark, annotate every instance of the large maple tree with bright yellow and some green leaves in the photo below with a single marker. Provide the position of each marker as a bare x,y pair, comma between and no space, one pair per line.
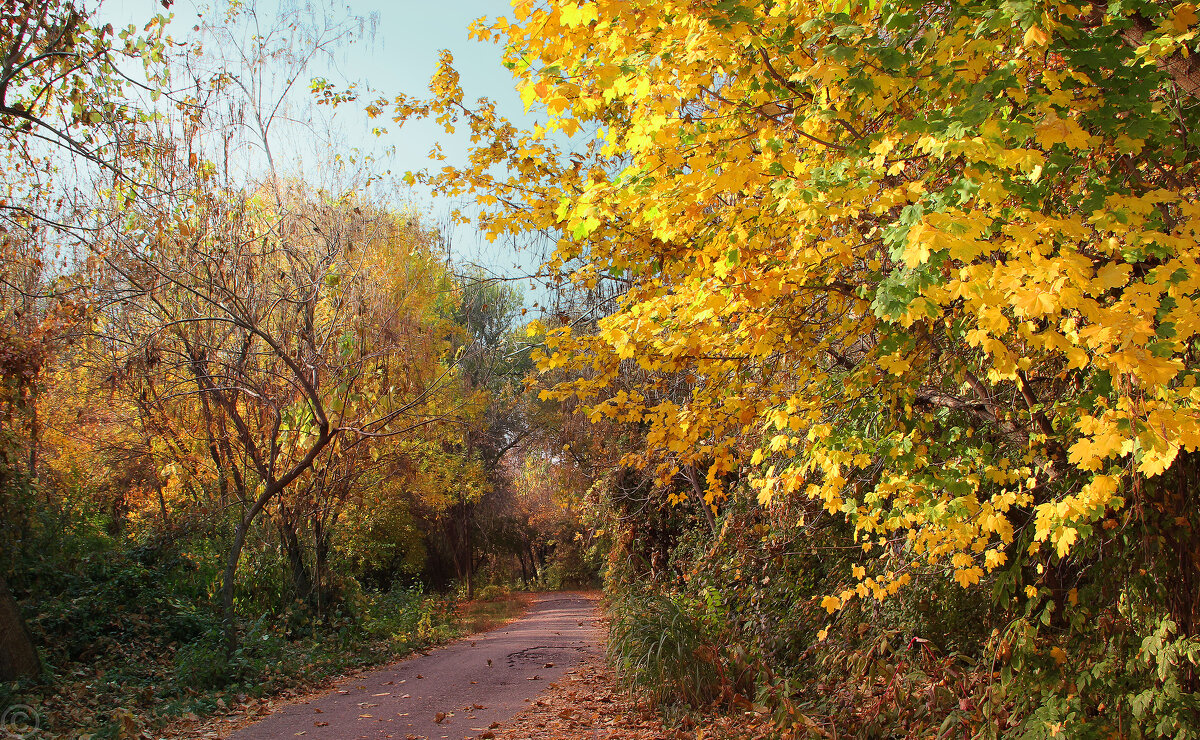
929,266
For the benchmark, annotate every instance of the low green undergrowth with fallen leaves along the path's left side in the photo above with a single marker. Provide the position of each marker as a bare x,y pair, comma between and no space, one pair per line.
131,640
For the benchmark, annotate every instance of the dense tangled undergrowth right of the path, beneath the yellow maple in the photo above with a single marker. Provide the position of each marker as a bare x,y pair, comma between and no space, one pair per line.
731,622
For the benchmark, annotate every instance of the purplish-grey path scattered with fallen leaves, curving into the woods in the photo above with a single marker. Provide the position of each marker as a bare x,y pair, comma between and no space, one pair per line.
466,690
